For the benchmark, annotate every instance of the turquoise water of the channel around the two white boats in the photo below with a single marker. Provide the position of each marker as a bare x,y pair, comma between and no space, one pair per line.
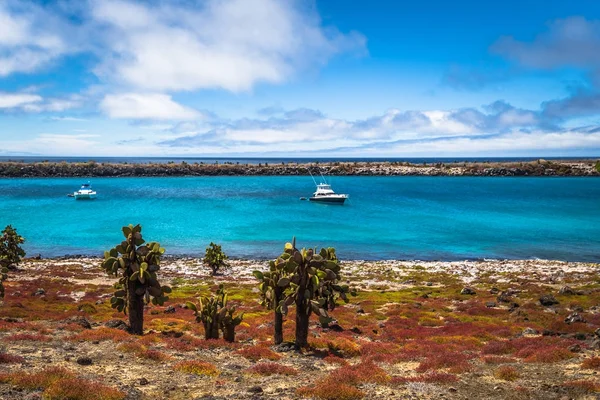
445,218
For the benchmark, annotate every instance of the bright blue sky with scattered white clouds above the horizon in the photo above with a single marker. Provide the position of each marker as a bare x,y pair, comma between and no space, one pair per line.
300,78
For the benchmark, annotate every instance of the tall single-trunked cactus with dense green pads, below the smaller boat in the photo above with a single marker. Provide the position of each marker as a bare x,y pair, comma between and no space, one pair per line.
138,264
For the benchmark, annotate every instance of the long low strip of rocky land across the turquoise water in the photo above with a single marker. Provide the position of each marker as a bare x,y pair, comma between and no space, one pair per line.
540,167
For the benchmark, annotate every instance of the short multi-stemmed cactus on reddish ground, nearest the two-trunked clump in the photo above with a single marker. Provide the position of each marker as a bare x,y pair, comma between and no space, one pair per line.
215,314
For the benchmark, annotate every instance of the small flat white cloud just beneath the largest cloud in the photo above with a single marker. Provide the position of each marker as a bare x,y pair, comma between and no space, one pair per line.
146,106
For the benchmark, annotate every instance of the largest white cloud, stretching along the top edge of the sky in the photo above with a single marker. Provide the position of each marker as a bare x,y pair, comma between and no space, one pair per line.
222,44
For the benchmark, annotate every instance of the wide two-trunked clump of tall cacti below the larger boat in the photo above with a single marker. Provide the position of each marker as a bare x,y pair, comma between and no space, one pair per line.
309,280
